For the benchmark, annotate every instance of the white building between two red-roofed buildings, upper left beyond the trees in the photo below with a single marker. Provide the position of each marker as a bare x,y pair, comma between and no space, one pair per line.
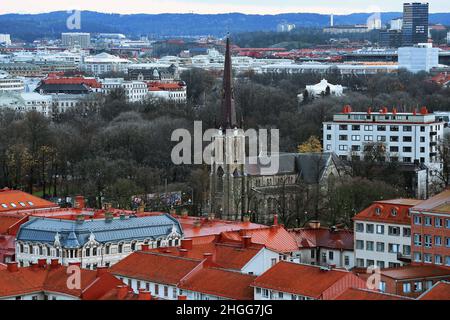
136,91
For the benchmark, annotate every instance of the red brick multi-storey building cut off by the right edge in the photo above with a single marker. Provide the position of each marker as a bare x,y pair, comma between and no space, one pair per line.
430,230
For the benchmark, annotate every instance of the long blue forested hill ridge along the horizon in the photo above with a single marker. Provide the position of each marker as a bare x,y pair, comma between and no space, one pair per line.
30,27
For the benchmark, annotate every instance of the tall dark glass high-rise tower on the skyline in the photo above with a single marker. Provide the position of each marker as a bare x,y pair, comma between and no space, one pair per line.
415,23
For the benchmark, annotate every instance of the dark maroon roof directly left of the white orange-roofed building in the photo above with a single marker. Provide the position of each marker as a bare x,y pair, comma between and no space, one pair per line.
323,237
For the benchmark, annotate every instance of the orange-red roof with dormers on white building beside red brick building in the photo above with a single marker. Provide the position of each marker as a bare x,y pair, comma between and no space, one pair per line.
390,211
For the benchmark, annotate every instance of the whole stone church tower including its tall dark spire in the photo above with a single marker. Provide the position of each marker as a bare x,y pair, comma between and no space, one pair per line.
227,178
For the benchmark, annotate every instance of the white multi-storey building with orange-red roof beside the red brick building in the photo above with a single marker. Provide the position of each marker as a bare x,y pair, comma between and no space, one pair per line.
383,234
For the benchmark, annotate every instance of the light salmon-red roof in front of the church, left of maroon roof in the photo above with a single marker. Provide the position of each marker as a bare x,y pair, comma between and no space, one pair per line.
275,238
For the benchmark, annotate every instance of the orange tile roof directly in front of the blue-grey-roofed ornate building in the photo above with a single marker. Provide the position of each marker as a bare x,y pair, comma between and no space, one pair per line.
155,267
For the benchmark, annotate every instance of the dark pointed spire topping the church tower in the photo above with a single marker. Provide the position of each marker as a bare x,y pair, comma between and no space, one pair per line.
228,120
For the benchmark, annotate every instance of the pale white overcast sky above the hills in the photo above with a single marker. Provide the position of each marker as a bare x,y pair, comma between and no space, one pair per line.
213,6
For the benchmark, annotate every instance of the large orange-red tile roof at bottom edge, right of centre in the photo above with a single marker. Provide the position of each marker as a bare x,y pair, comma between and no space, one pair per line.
304,280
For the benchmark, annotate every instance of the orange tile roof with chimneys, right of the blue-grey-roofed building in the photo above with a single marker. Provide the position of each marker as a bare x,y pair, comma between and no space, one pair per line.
227,256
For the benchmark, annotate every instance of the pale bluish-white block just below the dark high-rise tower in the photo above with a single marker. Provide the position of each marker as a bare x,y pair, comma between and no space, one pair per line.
422,57
